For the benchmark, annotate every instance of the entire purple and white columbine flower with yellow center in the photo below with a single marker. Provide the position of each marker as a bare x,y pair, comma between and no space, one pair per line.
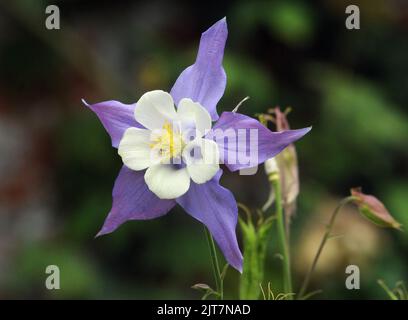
172,156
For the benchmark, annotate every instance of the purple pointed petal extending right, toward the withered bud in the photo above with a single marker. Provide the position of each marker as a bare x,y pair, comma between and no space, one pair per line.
244,142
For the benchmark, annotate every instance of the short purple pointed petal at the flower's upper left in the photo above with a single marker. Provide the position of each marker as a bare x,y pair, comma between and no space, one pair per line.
116,117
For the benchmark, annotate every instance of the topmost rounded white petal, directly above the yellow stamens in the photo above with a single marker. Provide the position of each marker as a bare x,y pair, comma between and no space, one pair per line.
154,108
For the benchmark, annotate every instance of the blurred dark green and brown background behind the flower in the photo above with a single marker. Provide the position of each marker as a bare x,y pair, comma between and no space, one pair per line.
57,167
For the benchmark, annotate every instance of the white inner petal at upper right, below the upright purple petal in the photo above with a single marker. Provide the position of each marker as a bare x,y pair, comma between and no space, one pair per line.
194,116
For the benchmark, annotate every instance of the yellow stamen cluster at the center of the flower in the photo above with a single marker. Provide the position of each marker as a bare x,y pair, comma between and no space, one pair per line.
169,143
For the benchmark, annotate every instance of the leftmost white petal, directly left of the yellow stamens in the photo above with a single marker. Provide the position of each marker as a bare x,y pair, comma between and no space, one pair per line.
135,149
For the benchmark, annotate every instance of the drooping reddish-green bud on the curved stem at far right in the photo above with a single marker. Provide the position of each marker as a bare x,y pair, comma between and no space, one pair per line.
374,210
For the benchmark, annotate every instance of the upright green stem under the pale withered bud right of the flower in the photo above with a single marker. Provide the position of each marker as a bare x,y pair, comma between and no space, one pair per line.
283,240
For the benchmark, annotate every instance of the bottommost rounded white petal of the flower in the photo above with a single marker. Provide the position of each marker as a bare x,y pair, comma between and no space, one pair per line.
166,181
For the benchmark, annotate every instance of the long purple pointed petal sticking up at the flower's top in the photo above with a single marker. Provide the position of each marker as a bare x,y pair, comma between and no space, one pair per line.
205,80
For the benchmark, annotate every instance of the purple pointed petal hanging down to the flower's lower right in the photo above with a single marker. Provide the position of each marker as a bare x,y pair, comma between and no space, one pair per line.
215,207
